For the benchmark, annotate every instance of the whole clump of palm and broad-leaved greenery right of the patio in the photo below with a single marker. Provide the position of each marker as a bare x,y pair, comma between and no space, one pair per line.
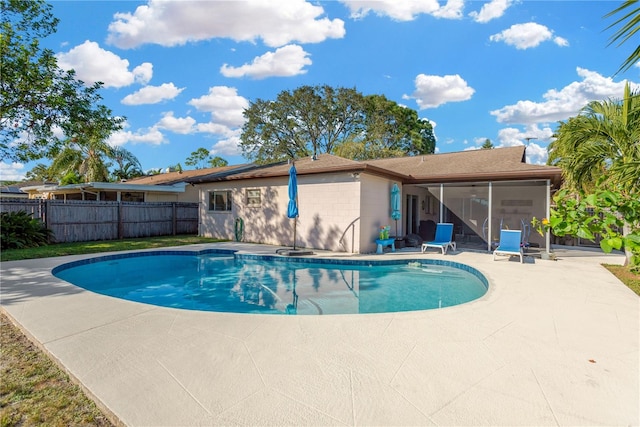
599,153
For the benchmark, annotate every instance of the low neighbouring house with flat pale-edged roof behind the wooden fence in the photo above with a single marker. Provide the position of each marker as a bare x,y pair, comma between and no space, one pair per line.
165,187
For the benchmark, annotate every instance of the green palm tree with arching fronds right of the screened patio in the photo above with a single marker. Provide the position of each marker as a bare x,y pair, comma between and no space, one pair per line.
599,150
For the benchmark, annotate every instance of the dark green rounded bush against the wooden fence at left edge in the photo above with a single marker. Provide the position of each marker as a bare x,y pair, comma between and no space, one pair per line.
20,230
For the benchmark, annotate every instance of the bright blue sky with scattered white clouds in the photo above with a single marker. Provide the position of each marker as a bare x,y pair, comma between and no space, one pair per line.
182,72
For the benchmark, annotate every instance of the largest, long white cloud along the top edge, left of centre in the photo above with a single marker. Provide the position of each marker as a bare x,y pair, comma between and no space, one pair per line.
171,23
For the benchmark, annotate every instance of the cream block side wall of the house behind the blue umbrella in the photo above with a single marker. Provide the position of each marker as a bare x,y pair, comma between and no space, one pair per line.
329,206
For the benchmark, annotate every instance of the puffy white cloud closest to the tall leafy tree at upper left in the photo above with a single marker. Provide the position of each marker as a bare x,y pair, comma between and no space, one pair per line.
94,64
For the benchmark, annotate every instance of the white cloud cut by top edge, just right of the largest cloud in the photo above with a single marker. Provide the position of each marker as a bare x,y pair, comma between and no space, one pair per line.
404,10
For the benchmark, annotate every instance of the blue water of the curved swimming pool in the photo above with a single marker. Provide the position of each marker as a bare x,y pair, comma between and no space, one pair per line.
224,282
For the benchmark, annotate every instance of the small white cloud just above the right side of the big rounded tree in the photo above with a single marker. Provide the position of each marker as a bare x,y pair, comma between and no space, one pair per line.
433,91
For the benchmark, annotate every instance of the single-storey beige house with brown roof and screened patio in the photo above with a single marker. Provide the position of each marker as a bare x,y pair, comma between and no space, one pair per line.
343,203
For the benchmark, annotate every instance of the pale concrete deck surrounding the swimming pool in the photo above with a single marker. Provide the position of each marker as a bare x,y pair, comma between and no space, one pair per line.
551,343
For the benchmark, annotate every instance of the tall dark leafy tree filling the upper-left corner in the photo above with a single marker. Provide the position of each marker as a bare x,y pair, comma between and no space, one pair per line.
36,96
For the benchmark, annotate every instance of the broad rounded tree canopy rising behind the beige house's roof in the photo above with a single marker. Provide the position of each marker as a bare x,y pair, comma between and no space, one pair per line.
322,119
